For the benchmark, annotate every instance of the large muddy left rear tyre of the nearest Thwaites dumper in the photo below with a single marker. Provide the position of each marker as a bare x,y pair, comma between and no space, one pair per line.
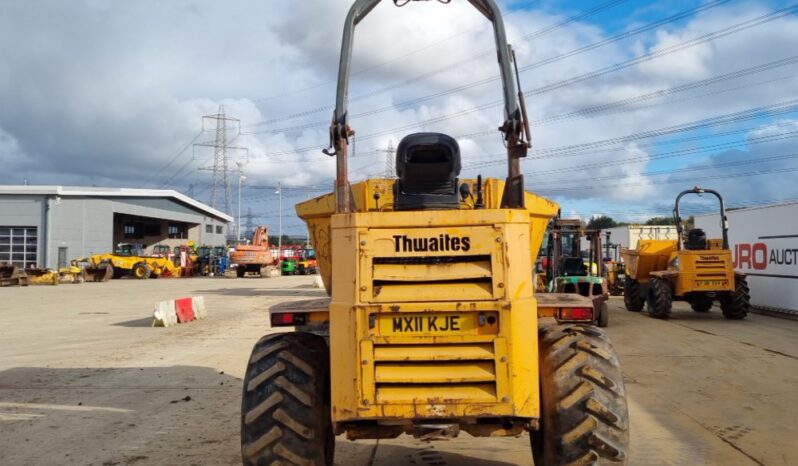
285,408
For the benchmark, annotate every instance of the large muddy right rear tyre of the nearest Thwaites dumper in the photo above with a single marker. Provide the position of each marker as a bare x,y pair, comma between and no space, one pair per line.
584,416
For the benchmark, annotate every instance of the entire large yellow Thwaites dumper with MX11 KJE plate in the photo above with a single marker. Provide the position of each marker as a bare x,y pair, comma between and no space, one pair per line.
432,326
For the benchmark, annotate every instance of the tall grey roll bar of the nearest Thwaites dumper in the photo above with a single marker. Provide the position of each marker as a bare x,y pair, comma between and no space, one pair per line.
512,128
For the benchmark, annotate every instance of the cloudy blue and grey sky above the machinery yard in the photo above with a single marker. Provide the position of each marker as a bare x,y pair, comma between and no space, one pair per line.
630,101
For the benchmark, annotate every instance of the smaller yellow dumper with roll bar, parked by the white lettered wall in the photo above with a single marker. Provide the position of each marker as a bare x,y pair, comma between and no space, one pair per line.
691,268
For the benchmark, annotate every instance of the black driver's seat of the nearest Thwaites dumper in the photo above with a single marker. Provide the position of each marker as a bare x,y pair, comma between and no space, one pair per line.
427,165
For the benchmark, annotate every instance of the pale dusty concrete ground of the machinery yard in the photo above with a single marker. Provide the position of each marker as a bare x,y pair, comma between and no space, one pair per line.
85,380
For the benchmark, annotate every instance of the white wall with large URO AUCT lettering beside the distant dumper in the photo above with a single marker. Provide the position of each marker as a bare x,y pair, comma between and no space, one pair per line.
764,244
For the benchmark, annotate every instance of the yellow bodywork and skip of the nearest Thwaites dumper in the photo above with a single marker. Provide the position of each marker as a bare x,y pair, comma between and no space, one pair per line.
477,368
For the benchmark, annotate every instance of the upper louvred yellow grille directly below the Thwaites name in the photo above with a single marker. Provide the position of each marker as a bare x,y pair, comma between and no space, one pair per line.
433,278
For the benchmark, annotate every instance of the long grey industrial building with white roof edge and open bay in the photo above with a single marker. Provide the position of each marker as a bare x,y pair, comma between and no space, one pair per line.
47,226
